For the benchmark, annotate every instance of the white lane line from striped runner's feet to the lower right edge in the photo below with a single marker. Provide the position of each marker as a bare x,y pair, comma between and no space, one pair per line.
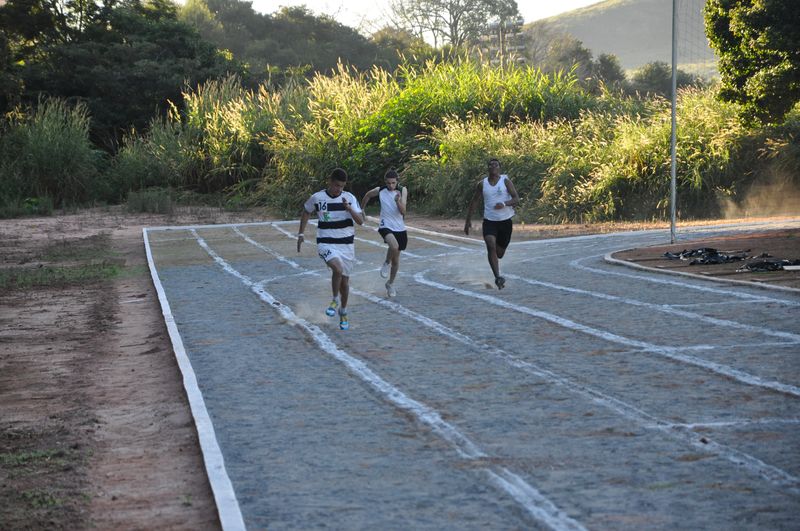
757,467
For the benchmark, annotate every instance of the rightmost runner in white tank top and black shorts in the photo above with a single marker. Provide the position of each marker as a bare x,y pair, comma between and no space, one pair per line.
499,198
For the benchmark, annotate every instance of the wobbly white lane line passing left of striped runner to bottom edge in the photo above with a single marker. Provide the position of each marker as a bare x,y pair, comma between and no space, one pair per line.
531,499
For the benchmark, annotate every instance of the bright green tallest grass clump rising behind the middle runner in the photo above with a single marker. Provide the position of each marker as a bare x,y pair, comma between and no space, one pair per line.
367,123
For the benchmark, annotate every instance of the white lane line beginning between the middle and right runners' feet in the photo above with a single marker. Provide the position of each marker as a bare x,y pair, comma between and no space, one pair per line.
667,352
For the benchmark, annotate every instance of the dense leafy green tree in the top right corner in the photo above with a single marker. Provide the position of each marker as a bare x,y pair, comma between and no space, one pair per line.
758,43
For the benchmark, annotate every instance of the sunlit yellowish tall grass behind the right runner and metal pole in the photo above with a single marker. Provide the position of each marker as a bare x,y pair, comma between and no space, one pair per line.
603,165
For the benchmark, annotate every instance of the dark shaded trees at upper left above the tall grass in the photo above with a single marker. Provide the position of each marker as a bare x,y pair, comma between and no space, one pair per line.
129,60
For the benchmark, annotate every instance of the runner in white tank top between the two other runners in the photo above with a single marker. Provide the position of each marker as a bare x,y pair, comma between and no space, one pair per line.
392,226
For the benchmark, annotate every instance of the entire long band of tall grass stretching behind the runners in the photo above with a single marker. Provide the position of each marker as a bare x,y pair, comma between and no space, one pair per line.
574,155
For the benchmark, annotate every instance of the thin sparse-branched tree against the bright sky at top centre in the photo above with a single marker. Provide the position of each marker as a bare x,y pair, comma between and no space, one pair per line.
454,22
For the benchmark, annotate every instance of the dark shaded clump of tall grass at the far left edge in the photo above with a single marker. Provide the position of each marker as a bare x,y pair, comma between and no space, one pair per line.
46,155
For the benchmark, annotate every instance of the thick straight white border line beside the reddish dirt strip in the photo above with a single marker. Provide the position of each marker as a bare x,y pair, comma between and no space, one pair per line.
230,515
